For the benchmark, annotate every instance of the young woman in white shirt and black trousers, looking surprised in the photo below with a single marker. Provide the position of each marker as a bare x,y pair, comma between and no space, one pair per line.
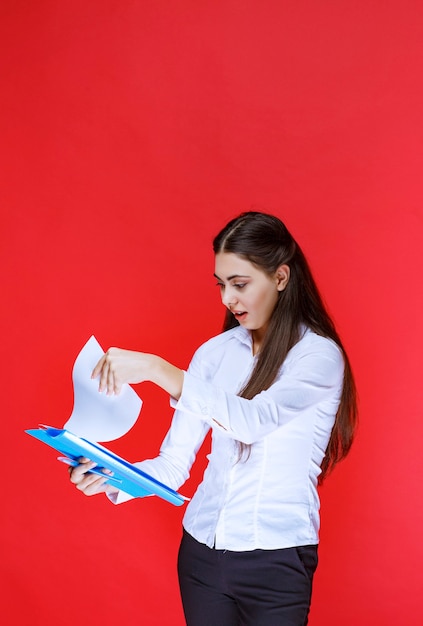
276,389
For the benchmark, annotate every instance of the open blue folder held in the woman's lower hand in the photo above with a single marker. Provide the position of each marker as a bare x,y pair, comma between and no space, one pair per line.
127,477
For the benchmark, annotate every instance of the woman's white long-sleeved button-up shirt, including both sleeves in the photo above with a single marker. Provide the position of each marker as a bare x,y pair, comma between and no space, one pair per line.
268,500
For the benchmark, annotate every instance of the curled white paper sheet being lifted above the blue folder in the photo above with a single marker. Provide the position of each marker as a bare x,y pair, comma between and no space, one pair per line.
97,416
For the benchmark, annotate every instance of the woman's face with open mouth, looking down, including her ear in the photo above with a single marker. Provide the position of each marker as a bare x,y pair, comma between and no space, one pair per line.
248,292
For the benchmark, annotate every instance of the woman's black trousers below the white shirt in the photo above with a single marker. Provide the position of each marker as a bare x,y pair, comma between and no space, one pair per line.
255,588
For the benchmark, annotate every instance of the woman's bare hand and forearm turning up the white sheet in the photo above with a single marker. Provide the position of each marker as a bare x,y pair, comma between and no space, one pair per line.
117,367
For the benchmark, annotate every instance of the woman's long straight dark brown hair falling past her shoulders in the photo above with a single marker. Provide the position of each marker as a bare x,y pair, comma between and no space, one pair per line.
265,241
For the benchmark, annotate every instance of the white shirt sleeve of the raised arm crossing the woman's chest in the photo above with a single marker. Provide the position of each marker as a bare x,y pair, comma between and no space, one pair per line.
312,376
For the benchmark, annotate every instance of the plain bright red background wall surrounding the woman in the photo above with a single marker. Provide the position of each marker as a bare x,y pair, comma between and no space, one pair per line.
130,133
